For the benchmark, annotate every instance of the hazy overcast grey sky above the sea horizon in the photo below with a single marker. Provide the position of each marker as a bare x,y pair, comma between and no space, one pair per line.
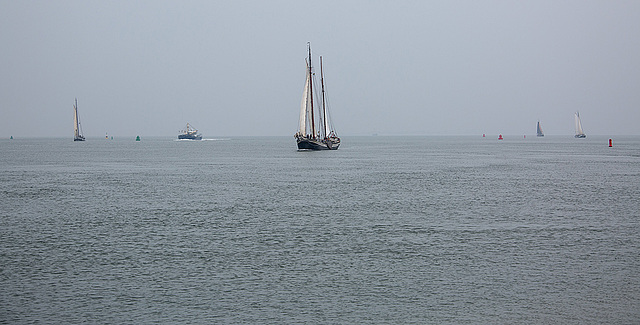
236,68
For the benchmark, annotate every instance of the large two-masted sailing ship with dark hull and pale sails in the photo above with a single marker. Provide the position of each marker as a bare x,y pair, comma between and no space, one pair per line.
315,131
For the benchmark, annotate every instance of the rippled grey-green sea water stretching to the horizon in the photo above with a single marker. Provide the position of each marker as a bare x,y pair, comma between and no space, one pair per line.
384,230
